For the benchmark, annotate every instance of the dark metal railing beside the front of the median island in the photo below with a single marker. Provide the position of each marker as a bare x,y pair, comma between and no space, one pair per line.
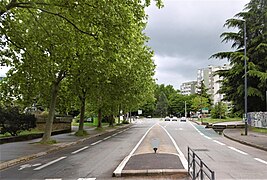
197,169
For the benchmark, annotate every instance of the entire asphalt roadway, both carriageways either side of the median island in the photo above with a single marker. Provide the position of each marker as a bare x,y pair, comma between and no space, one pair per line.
98,157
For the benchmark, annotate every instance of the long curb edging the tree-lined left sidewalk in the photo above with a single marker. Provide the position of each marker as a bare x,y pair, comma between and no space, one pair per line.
16,161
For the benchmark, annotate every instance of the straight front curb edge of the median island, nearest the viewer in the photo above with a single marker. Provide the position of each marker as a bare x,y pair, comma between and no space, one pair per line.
151,172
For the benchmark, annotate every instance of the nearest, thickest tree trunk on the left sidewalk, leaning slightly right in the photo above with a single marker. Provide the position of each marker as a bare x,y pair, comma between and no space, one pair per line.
49,123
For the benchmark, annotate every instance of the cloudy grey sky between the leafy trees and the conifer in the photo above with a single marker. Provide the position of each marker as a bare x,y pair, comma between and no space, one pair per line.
185,33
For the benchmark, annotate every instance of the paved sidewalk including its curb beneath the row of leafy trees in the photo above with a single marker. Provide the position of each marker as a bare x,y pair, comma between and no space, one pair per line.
16,152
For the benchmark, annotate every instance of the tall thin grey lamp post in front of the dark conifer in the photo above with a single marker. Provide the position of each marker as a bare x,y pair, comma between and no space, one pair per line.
245,64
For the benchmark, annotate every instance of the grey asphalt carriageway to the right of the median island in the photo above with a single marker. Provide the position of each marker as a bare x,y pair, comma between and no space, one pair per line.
229,159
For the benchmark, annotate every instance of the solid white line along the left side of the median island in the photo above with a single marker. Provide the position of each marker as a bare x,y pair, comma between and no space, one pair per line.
118,170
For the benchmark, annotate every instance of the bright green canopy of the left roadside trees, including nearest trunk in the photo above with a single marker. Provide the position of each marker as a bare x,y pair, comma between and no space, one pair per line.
97,48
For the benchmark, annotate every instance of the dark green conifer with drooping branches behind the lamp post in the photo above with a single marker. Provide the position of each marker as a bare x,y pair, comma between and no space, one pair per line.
256,38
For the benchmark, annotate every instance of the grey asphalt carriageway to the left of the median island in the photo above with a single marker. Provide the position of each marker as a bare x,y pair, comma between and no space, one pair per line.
95,158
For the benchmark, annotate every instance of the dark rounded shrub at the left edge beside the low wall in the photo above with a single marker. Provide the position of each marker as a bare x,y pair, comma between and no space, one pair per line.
13,122
